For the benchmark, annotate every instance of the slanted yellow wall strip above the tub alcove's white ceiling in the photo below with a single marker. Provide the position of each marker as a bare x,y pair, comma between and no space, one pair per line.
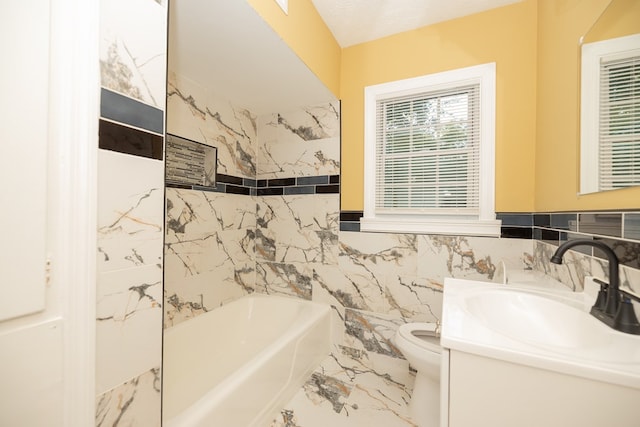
308,36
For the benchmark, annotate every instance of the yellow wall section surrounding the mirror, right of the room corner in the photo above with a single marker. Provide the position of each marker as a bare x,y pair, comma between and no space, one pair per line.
560,26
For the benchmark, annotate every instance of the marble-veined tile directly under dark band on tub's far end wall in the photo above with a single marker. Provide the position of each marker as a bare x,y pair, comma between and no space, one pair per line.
299,228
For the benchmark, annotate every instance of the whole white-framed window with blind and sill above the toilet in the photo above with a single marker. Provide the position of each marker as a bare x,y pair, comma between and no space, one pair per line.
429,154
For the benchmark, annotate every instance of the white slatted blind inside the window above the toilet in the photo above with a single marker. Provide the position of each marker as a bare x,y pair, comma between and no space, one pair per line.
428,152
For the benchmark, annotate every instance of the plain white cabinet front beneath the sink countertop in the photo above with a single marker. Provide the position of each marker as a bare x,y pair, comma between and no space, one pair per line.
483,391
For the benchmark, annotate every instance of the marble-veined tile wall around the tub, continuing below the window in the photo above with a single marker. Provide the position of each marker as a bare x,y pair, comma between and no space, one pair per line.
278,231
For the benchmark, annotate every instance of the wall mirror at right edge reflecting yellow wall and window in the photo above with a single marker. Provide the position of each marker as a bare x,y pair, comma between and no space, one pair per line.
610,100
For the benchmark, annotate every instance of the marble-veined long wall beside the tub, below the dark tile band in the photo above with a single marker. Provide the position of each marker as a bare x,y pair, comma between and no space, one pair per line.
209,251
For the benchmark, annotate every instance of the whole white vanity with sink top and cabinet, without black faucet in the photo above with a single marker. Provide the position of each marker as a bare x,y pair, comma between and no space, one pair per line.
531,355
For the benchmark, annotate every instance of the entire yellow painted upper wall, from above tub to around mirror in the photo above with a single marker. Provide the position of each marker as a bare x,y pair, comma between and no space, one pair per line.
535,46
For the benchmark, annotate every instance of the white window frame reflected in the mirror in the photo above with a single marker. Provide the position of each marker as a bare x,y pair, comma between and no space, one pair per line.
592,55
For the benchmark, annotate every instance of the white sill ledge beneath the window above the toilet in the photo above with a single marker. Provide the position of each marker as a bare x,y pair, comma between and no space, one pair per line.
462,227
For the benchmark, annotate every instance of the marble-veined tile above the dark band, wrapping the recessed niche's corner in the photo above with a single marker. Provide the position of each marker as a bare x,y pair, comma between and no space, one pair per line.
195,113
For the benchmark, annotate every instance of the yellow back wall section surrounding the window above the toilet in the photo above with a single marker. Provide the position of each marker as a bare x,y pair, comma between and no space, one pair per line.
506,36
